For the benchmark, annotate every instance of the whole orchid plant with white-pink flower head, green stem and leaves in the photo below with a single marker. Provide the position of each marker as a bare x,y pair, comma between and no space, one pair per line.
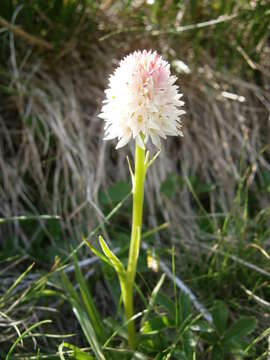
142,103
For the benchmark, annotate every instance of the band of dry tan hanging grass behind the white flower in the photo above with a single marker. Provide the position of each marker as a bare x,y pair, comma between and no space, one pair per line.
53,159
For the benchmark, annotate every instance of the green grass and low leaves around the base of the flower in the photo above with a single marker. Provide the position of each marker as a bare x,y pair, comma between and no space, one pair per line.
168,325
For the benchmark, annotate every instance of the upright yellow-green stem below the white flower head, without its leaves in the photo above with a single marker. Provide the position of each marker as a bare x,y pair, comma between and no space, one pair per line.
137,211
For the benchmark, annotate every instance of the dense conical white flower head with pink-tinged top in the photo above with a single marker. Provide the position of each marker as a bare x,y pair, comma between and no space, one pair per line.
142,101
